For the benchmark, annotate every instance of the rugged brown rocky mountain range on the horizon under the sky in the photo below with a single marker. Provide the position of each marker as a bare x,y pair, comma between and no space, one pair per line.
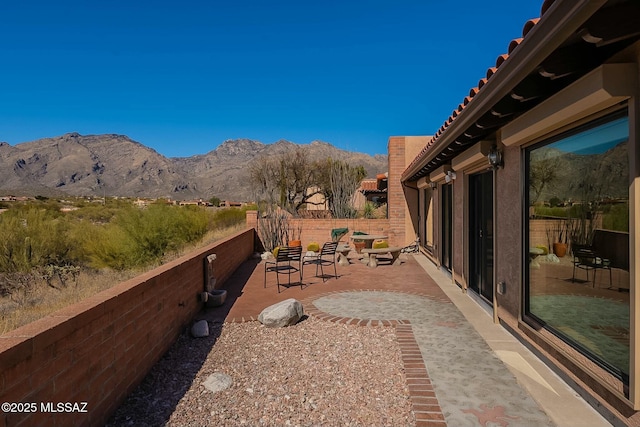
115,165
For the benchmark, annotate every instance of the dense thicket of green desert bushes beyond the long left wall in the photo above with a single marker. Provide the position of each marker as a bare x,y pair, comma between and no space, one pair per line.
118,237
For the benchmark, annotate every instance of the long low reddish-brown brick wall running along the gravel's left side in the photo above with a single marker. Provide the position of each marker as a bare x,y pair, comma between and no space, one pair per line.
98,351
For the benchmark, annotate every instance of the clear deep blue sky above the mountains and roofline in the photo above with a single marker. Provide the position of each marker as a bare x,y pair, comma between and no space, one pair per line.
182,77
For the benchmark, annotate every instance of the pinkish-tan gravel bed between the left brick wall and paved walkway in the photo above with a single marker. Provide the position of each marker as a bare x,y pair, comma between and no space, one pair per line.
315,373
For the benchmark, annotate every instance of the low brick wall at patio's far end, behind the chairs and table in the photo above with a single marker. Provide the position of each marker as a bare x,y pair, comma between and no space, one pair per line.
319,230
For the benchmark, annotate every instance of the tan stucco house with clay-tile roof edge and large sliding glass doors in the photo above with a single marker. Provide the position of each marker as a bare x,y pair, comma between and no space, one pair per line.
557,118
